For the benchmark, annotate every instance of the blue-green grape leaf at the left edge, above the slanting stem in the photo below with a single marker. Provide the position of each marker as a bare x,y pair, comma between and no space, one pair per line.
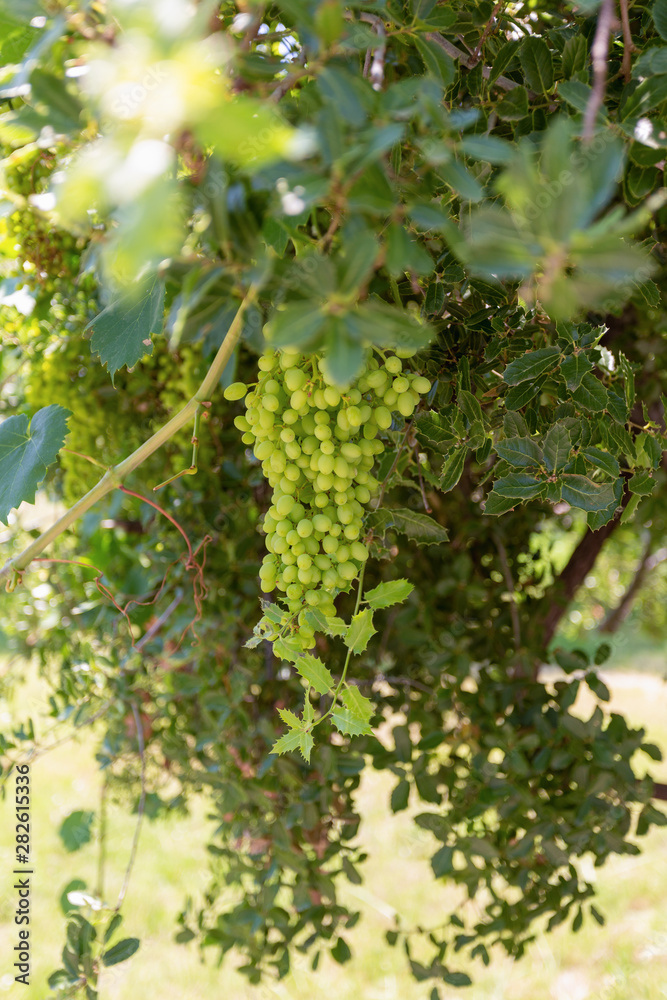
27,449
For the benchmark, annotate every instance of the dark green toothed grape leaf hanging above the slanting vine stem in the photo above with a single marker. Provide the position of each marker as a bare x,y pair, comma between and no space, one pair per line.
122,332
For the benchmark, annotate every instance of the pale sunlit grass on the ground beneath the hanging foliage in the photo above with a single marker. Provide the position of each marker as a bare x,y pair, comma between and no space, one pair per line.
625,960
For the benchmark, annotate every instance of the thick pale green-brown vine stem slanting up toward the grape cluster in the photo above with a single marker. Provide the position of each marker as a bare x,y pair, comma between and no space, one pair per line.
112,478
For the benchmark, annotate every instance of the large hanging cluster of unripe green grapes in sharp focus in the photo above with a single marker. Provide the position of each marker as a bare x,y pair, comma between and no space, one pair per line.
318,444
